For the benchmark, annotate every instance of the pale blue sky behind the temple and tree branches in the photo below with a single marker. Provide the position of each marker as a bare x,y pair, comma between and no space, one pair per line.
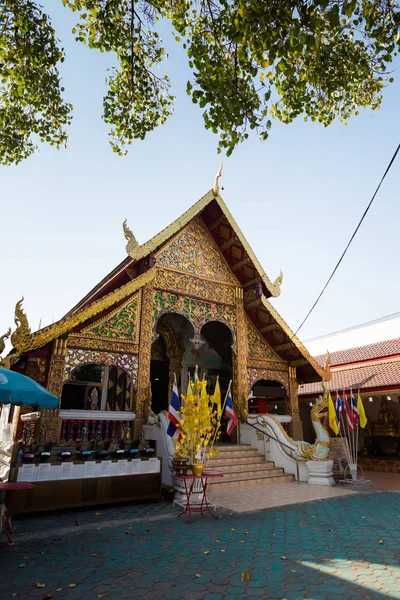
297,197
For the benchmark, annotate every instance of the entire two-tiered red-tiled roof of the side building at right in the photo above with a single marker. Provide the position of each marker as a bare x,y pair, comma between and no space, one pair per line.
371,367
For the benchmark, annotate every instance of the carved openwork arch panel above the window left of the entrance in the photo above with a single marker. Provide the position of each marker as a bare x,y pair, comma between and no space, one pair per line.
76,357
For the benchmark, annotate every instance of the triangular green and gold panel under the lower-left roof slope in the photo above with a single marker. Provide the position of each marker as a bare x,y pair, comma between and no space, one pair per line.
121,324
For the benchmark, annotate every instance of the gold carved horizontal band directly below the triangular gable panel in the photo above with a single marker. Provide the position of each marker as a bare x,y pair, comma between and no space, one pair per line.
193,286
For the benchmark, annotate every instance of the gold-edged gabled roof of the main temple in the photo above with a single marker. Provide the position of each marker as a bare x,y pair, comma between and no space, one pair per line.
138,268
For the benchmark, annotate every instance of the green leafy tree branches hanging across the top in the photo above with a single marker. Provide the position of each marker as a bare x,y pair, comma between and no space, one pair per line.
251,61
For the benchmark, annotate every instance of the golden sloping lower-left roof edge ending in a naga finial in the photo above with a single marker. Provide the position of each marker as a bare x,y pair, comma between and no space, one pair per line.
24,341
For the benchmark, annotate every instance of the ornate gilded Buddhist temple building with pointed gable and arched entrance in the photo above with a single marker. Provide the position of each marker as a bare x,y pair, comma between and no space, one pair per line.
194,294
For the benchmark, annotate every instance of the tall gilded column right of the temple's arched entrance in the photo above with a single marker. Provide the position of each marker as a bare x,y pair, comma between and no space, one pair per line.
240,359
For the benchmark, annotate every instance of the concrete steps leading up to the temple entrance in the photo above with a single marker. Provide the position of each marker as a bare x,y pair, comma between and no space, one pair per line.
242,465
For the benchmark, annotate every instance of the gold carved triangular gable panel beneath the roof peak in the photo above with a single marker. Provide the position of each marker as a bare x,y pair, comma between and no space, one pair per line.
194,251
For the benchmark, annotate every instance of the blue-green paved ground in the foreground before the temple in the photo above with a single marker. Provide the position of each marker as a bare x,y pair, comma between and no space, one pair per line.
344,547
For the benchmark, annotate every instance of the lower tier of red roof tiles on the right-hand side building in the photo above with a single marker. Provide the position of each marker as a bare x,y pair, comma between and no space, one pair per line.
366,376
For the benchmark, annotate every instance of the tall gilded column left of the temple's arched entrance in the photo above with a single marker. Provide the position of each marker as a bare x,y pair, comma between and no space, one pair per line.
146,335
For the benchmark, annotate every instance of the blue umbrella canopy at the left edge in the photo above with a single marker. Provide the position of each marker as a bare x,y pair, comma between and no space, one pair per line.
18,389
